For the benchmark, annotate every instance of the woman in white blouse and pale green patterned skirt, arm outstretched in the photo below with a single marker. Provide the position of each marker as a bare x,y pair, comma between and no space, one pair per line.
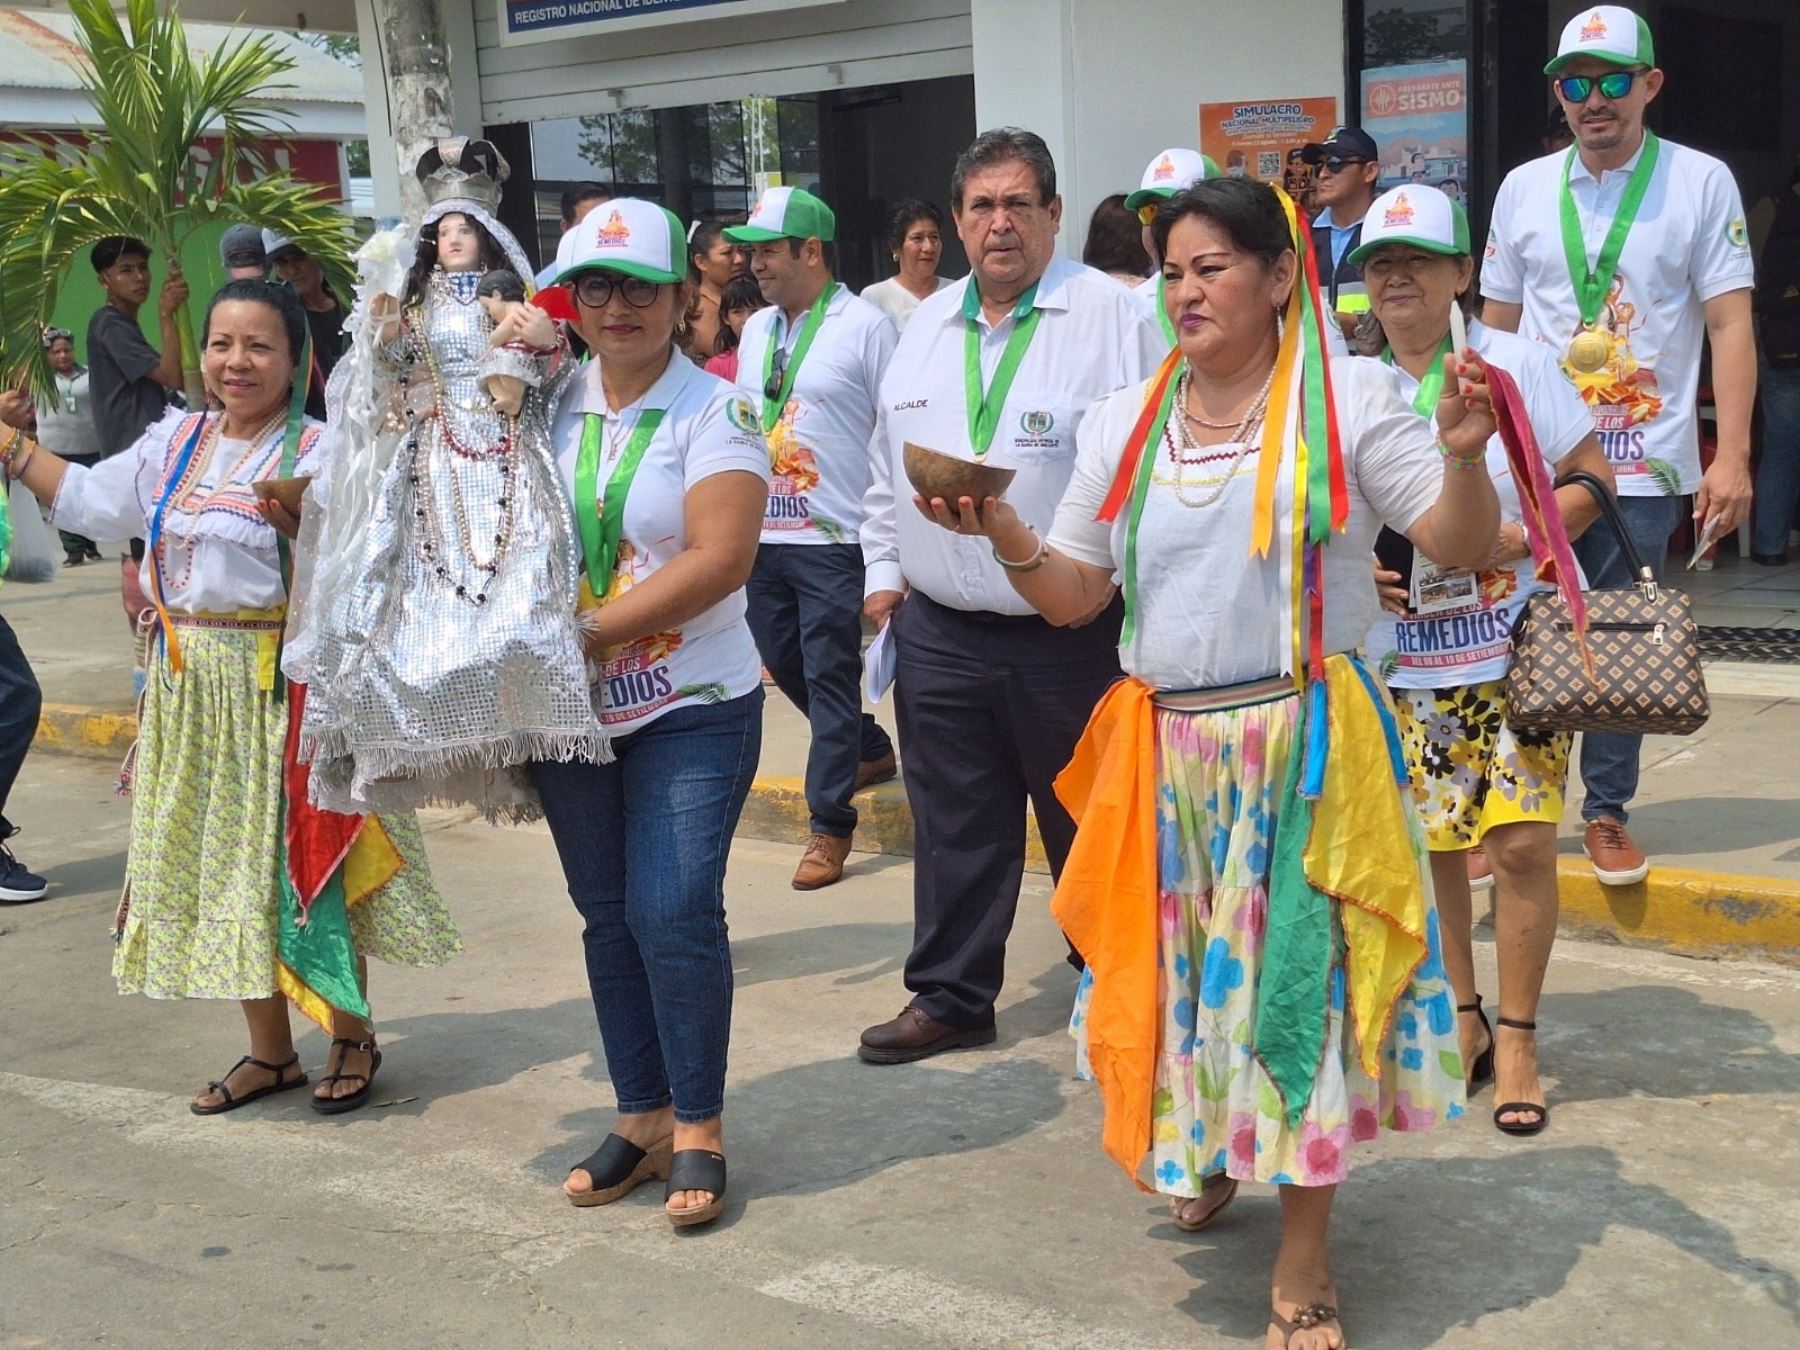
208,912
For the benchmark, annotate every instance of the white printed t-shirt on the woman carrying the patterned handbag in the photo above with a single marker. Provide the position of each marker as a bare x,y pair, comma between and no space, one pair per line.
1462,629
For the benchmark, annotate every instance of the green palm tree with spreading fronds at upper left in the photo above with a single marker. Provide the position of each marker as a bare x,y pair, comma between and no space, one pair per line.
138,174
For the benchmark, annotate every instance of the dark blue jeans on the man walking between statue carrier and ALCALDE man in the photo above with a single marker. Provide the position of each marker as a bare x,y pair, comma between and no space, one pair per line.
805,611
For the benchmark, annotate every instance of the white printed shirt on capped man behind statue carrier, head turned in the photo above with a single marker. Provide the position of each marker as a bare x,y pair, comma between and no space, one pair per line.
820,447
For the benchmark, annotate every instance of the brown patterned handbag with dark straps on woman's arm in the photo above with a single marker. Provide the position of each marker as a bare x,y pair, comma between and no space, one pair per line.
1646,654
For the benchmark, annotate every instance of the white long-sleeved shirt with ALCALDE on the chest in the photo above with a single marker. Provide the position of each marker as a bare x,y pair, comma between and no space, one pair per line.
1093,337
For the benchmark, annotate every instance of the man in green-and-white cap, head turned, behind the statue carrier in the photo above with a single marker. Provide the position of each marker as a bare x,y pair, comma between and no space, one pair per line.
813,363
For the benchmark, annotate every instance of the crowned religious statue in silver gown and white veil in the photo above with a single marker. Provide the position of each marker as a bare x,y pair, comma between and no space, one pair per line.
436,631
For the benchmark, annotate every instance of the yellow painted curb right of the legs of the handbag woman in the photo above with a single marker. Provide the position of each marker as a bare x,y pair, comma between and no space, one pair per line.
1695,913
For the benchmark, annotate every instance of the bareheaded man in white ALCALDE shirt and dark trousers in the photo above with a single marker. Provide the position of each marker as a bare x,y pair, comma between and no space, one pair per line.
991,697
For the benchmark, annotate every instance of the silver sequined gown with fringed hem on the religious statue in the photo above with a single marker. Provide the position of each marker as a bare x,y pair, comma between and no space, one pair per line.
453,660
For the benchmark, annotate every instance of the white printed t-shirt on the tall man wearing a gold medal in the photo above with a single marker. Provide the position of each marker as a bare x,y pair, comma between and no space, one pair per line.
1687,246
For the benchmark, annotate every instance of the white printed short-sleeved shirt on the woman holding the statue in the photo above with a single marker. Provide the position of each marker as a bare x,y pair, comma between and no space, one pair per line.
708,427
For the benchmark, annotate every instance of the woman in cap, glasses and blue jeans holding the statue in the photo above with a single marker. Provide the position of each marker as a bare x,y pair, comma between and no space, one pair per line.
669,476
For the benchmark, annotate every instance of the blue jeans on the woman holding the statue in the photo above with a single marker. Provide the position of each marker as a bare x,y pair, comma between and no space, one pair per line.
643,847
